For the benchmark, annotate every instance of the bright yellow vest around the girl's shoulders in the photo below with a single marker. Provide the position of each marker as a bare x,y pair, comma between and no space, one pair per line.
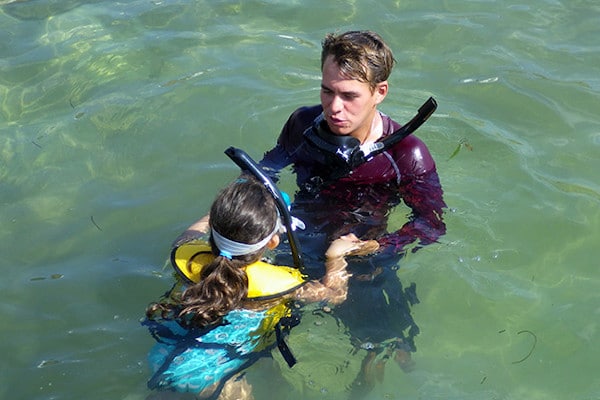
265,280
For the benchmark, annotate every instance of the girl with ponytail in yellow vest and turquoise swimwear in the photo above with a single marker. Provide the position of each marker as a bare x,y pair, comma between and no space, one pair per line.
235,306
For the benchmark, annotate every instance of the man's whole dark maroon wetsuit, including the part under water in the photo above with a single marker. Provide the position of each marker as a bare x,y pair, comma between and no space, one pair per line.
360,203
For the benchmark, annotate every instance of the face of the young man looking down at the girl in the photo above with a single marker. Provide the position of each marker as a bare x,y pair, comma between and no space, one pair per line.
349,105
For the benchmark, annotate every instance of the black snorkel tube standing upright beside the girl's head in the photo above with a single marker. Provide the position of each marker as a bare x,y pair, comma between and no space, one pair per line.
247,164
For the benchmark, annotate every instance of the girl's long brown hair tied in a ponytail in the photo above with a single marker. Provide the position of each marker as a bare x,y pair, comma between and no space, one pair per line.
244,212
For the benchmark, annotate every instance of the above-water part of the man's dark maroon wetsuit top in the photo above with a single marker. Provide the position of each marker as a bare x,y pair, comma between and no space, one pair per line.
404,172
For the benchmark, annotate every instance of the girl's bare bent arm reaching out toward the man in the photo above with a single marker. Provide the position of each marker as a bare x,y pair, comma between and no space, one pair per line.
333,287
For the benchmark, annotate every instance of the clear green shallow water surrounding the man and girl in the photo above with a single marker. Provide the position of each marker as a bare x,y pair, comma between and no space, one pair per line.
113,119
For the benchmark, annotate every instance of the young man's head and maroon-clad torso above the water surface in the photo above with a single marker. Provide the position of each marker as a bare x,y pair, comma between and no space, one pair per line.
355,68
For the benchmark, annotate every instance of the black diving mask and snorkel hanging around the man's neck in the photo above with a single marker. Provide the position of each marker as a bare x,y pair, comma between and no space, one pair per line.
344,153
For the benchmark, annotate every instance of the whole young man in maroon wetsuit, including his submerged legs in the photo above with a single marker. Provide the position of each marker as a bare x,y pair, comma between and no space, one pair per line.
338,196
